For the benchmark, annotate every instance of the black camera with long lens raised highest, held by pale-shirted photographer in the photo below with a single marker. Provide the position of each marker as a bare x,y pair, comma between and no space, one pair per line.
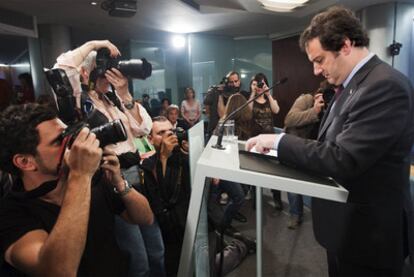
134,68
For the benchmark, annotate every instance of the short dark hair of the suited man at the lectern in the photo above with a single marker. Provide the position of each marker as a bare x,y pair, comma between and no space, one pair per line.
332,27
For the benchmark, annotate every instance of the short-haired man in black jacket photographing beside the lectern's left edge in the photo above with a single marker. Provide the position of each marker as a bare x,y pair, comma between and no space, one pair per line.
166,183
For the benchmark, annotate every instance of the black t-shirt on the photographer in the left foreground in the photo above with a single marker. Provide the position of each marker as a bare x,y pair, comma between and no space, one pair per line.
101,257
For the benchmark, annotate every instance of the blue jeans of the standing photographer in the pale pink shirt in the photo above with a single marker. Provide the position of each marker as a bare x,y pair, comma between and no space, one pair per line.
143,242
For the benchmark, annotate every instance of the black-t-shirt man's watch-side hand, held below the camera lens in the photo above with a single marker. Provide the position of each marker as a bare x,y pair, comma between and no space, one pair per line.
110,164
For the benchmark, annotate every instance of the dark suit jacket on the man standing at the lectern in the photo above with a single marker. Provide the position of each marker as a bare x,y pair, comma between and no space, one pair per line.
365,146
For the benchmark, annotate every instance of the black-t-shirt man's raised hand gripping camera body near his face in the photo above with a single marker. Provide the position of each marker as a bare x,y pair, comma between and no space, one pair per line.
84,156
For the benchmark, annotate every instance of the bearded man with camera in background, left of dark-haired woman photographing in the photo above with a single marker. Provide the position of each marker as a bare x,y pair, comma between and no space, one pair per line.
216,99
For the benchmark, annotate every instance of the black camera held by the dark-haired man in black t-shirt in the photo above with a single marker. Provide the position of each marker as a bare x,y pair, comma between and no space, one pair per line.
109,133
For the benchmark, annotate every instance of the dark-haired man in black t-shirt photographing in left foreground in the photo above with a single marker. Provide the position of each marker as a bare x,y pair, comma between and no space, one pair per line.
58,219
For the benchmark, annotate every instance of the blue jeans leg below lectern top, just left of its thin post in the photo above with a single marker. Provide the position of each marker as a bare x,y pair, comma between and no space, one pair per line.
236,196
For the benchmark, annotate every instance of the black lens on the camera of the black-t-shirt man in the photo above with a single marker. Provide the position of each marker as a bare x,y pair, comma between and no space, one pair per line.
110,133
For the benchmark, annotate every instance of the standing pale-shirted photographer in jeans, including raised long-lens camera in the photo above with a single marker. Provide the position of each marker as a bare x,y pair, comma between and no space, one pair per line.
105,98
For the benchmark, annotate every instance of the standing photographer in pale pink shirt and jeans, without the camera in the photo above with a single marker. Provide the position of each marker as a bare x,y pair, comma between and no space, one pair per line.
143,243
